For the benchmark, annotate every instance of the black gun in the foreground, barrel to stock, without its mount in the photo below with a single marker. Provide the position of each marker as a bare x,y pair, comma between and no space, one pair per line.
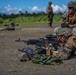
42,41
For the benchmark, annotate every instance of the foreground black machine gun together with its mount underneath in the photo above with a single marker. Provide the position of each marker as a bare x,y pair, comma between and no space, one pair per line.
43,44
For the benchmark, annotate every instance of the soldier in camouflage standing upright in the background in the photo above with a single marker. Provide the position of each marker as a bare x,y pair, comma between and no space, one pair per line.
50,14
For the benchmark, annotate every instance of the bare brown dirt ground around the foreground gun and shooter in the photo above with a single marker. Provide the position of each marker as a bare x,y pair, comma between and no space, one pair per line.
9,63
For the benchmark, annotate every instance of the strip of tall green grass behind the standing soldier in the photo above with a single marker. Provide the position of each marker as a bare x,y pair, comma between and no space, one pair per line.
31,19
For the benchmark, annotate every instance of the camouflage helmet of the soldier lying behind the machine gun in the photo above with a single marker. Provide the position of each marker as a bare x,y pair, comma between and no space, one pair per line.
64,32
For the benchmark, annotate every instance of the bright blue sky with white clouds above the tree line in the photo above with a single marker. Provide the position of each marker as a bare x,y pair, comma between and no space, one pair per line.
14,6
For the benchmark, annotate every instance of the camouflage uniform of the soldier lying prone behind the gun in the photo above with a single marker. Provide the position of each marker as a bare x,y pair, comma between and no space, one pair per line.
69,48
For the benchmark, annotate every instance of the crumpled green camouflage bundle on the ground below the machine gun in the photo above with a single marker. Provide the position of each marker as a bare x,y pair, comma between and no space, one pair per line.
46,59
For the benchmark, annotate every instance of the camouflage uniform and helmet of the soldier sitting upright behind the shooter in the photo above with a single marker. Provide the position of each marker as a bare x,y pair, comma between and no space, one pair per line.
69,17
